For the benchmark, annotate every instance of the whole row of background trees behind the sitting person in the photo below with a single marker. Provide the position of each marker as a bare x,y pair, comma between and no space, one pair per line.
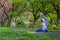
51,9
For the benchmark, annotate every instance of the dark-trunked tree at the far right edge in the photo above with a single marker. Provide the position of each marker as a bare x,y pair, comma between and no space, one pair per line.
56,6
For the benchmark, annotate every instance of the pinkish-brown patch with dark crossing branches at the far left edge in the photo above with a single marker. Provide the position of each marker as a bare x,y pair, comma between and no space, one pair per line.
5,9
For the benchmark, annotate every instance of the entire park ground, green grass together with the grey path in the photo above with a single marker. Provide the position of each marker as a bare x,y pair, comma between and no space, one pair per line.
7,33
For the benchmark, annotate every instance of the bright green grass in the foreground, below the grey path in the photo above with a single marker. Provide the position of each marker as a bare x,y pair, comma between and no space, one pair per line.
7,33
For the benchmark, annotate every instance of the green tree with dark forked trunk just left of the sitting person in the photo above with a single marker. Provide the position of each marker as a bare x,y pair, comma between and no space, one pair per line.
38,6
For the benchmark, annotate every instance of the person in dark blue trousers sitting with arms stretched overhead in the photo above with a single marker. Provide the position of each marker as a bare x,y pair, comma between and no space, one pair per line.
44,24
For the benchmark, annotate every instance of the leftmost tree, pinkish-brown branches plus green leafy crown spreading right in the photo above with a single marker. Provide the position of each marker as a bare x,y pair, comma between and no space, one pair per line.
16,8
